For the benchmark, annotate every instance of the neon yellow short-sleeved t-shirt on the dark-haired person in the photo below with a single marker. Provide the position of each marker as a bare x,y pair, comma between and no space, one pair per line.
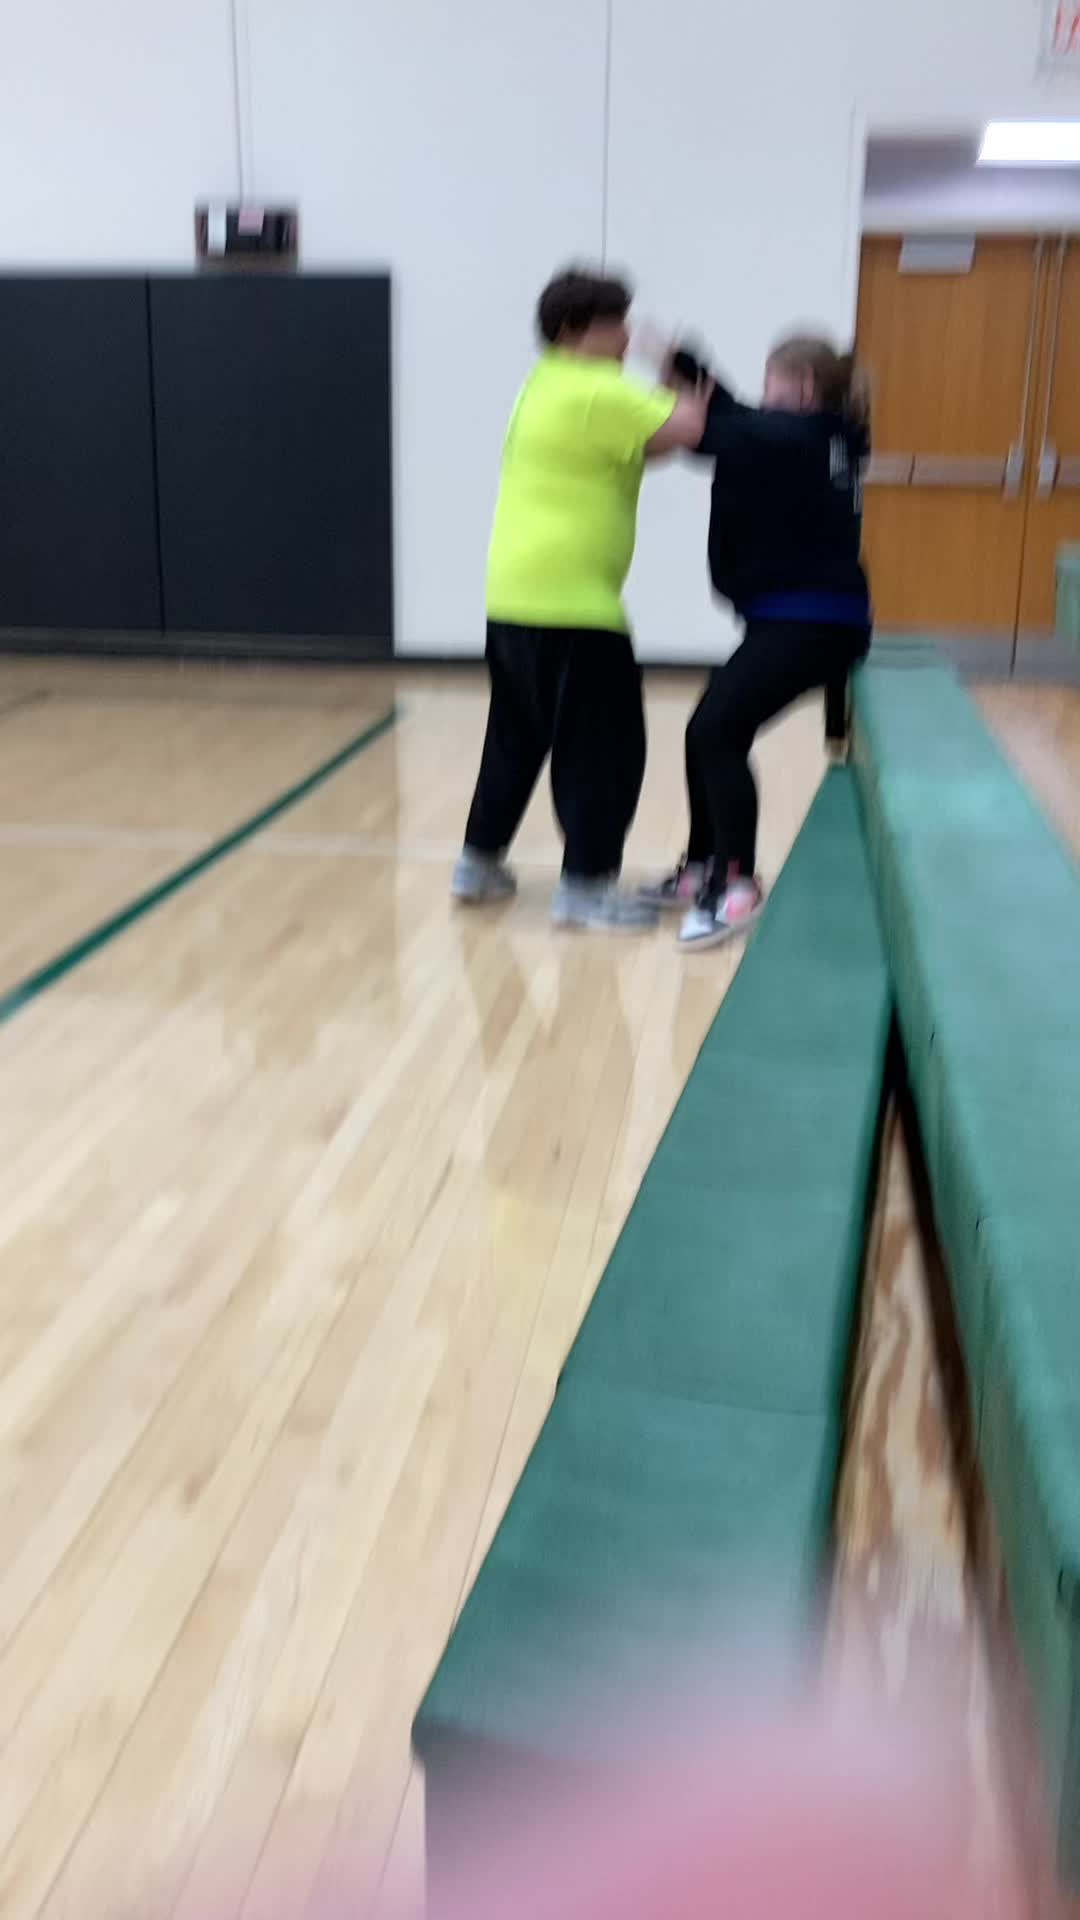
568,510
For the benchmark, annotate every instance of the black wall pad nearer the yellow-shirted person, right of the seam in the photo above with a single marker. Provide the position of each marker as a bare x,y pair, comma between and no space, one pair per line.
274,456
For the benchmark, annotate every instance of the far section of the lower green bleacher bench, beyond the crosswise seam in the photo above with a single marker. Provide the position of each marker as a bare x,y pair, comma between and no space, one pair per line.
768,1159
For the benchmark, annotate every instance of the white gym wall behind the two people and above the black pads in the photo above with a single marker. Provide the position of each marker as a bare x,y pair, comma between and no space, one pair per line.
466,147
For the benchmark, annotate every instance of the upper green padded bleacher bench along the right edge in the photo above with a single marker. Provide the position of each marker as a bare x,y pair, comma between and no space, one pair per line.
981,907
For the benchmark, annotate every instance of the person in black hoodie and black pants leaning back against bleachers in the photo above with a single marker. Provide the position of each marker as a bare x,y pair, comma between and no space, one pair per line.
785,550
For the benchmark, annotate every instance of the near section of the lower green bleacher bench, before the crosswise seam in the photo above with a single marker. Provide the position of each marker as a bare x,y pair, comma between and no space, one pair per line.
635,1512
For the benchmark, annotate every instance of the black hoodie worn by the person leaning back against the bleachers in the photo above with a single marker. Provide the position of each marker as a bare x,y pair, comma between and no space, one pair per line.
787,525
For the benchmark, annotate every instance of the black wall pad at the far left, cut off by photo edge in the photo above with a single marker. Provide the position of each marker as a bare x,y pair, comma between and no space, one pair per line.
78,512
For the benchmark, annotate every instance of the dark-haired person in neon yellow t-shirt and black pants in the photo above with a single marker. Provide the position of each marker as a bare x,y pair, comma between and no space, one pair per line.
560,656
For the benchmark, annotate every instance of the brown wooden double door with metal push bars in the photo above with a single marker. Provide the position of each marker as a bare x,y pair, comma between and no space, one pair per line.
975,483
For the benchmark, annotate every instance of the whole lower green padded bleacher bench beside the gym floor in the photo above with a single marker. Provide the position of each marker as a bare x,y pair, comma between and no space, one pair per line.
685,1476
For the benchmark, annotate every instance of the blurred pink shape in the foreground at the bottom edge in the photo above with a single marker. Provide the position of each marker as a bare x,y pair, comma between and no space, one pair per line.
781,1819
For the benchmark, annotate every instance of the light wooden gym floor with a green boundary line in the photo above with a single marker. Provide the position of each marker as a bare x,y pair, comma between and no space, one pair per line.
305,1184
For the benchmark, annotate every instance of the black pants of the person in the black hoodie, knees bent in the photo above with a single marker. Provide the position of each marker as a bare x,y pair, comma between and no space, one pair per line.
777,663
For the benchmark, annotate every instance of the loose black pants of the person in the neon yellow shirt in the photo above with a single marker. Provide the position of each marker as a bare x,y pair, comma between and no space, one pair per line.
577,696
